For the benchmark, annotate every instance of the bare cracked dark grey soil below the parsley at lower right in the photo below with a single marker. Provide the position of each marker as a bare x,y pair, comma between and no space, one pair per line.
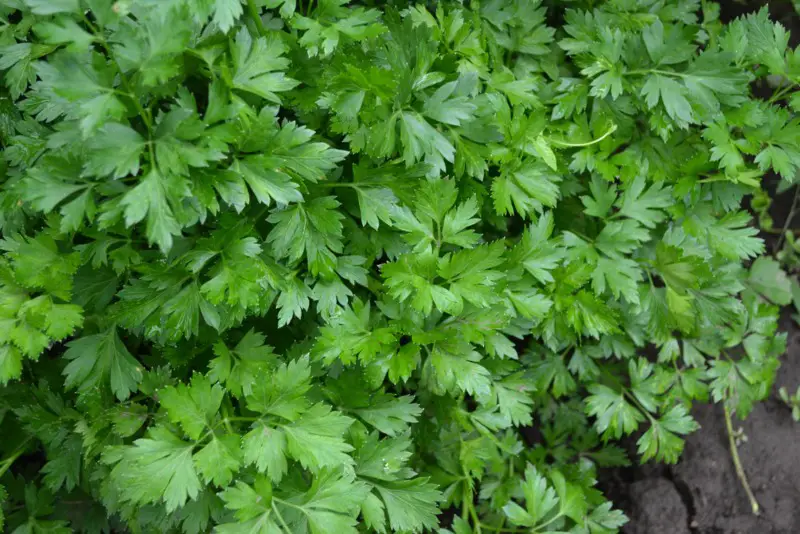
701,494
